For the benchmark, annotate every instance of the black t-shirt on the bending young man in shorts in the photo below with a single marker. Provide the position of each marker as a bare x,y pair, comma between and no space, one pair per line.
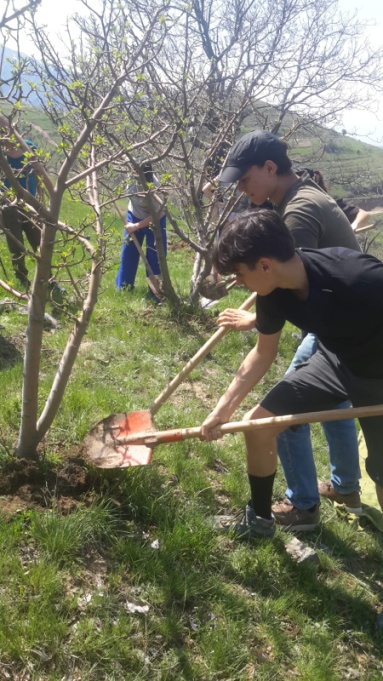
344,307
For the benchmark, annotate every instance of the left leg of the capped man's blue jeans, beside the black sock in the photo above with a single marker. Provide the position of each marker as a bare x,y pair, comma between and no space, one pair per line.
294,446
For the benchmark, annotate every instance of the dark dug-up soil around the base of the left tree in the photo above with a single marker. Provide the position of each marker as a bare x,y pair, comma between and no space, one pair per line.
29,484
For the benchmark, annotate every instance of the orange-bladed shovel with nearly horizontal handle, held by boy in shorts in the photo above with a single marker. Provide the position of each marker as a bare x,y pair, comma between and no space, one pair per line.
118,442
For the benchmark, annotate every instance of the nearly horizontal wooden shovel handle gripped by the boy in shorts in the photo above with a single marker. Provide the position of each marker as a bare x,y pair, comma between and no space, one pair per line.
177,435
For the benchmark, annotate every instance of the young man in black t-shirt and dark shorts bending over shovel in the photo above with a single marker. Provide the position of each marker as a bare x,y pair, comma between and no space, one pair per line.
335,293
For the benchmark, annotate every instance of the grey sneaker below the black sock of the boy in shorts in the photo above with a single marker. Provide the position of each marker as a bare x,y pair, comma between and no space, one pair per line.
245,525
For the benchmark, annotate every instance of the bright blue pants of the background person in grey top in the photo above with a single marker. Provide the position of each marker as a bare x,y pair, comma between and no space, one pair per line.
130,256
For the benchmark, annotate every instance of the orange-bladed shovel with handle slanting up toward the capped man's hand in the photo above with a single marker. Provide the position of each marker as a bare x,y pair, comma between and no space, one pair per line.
115,426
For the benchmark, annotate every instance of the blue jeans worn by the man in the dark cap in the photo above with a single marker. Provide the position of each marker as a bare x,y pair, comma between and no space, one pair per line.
296,454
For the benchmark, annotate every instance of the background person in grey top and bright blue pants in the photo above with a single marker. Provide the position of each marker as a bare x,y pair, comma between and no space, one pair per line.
138,222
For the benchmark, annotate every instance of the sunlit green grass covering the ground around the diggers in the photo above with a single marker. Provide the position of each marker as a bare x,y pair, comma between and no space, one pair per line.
217,609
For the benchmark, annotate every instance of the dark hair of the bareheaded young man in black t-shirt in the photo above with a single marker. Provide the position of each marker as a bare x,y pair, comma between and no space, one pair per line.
251,236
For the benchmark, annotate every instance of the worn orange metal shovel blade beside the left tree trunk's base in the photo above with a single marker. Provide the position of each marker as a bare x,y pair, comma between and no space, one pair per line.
104,450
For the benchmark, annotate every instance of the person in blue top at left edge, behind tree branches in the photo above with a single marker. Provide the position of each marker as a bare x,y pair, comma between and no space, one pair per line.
16,219
